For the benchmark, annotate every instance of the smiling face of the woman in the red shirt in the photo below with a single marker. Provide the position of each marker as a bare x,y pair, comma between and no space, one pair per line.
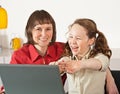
42,34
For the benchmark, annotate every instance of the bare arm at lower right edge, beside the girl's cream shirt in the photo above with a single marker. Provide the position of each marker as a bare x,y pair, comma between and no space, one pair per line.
111,87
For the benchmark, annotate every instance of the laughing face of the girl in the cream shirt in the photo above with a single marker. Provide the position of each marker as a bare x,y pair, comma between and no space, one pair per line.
78,40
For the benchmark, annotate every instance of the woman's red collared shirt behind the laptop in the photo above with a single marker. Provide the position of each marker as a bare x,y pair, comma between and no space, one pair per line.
29,55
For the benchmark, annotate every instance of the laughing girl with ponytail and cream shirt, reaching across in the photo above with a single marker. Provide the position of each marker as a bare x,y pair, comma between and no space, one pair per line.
86,58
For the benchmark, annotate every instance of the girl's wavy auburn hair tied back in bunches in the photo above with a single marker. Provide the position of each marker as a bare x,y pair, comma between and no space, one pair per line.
100,45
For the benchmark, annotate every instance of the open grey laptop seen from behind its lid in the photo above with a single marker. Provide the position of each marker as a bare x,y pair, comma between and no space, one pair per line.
31,79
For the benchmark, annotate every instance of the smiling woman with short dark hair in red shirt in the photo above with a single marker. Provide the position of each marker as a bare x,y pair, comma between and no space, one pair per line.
41,47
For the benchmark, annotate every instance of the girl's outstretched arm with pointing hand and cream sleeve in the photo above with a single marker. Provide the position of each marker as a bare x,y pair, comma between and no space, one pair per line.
100,64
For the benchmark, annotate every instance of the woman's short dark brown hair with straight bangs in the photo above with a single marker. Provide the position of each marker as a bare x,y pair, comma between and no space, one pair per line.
39,17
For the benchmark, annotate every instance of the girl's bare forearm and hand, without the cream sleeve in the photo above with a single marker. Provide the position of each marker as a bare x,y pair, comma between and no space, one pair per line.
73,66
